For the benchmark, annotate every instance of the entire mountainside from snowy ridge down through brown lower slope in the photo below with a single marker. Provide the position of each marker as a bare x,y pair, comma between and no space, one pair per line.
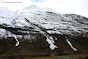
42,25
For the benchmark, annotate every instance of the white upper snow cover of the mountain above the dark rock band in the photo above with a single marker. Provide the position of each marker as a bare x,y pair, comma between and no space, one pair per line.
45,18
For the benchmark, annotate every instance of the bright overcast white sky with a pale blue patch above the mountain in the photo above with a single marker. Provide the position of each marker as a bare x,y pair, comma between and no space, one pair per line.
62,6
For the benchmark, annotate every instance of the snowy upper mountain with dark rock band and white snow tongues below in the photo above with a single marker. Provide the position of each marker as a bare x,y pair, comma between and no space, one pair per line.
34,21
